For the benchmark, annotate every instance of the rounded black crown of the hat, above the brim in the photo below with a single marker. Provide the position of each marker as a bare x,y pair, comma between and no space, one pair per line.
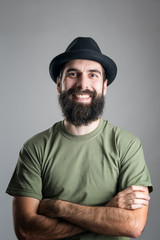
82,43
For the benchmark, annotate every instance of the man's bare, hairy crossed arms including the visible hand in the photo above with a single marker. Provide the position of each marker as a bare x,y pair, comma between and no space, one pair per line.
124,215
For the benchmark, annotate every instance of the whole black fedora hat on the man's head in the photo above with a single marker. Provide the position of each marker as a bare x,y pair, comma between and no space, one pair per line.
83,48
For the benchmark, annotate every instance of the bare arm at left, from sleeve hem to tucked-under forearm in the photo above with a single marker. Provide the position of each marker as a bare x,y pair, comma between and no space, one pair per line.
29,225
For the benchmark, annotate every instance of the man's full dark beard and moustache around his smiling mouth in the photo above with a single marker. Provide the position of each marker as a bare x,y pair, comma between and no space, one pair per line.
78,113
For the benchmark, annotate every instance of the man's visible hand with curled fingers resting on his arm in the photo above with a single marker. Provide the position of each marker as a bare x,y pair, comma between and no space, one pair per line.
133,197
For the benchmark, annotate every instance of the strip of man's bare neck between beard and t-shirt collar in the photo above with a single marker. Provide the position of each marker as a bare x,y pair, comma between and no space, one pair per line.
81,130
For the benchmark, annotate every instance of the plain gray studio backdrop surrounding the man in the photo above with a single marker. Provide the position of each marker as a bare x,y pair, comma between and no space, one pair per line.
32,32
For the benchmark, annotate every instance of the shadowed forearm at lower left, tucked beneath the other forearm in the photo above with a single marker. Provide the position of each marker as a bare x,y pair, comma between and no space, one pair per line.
41,227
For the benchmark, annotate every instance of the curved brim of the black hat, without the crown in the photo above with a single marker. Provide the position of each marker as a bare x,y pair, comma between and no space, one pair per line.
58,62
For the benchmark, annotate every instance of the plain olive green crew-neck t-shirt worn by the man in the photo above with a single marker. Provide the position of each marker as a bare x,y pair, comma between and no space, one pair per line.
84,169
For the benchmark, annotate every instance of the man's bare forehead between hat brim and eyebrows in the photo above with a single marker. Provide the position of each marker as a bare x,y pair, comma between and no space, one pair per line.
82,65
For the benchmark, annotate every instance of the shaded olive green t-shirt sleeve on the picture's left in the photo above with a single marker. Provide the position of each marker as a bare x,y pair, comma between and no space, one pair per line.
26,179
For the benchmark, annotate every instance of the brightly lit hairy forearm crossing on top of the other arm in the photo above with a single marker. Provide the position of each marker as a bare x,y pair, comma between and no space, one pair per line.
102,220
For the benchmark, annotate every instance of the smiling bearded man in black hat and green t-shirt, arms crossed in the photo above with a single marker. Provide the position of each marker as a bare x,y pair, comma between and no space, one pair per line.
83,178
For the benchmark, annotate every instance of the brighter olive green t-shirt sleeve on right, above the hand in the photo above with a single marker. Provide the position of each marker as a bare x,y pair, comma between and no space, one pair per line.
133,168
